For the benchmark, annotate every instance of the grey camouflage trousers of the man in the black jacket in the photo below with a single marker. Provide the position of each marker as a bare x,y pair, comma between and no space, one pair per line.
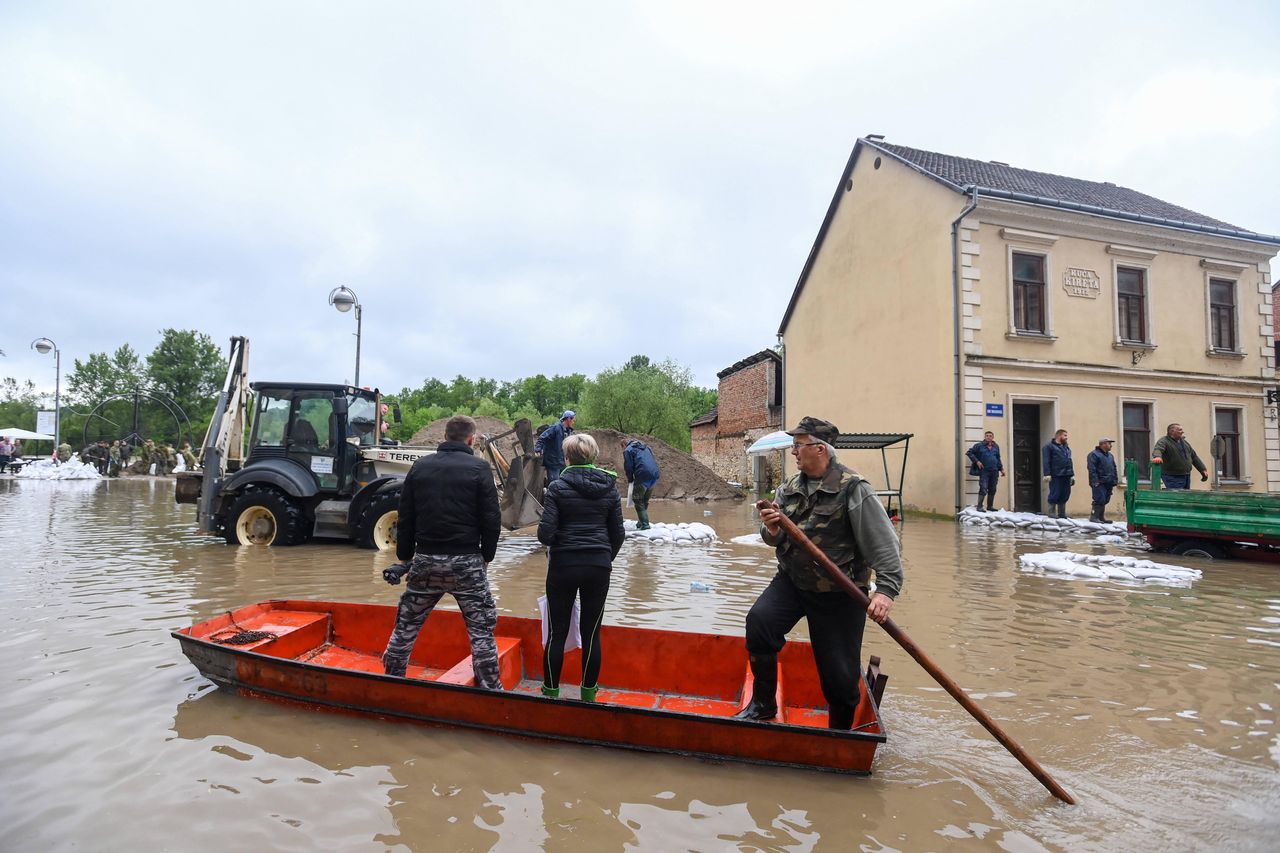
465,578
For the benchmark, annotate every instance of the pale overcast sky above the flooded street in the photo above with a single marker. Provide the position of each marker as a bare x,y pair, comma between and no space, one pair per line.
520,189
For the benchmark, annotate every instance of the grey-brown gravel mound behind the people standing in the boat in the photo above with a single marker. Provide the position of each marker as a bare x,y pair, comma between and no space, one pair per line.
683,478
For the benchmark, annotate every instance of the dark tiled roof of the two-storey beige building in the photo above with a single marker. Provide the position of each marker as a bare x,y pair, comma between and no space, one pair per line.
964,172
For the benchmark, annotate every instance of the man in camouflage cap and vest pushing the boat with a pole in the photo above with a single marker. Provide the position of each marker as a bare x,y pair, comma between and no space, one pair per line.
839,512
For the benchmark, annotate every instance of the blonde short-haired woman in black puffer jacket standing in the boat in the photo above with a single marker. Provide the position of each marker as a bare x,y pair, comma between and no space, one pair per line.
583,524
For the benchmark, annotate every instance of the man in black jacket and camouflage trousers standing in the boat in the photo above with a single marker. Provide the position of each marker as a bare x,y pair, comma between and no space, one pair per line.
447,539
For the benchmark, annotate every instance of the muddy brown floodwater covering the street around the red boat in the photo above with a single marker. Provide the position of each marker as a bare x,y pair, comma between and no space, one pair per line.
1155,706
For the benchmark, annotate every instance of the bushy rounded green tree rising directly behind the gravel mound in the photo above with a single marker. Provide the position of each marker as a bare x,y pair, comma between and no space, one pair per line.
643,398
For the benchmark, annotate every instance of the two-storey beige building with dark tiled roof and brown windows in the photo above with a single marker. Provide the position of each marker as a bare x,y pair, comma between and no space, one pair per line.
948,297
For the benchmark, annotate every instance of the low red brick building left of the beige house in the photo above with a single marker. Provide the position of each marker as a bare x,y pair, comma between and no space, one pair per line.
751,407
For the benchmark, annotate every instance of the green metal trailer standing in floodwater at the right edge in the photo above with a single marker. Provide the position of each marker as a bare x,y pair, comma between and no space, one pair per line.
1213,524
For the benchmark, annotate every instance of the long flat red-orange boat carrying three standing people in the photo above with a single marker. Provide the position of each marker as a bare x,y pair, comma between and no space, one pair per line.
660,691
